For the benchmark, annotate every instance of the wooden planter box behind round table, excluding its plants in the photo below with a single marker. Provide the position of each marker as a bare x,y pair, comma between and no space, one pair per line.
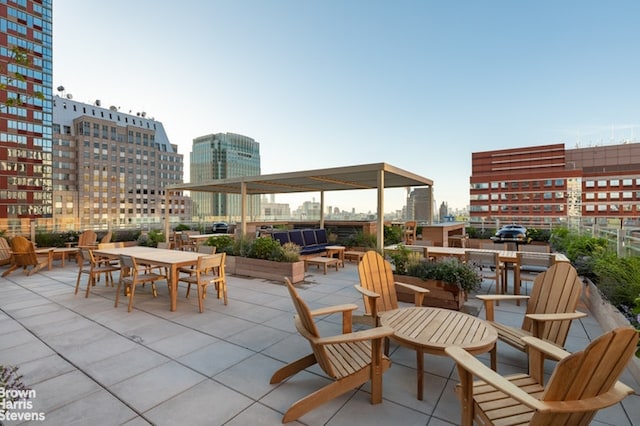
441,294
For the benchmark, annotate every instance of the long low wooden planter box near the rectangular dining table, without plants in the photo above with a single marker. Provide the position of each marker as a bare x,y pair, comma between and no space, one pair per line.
267,269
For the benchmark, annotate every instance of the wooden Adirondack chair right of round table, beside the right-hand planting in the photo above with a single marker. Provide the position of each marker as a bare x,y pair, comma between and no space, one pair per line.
550,309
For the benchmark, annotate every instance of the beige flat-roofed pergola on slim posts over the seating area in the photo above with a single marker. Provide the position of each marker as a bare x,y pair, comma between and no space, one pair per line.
378,176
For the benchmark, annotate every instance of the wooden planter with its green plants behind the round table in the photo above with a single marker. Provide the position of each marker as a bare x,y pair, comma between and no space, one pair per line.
448,281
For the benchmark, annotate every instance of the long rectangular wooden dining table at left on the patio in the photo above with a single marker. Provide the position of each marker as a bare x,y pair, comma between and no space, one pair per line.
170,259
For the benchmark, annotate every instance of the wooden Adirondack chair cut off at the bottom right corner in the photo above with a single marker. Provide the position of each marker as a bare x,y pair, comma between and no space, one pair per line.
581,383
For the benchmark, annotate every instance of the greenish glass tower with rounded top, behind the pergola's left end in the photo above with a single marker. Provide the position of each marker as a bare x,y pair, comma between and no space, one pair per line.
223,156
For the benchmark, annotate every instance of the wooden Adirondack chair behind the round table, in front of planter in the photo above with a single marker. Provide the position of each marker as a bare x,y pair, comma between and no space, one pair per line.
378,288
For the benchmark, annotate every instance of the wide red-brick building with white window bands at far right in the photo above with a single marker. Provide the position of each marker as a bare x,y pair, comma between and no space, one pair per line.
550,184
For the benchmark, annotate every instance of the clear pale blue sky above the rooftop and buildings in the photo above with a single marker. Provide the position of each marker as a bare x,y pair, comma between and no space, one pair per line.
417,84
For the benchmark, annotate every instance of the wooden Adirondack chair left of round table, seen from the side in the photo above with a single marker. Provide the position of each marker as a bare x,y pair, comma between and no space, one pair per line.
350,359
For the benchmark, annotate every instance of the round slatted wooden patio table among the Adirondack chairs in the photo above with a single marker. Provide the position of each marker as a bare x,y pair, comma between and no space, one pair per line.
431,330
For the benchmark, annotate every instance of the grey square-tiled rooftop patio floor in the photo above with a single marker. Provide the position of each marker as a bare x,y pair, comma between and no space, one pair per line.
91,363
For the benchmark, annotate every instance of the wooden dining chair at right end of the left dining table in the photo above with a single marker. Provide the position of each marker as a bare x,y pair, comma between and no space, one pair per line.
209,271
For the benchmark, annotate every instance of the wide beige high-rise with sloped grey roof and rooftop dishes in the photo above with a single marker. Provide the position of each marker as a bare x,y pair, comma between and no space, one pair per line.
110,168
